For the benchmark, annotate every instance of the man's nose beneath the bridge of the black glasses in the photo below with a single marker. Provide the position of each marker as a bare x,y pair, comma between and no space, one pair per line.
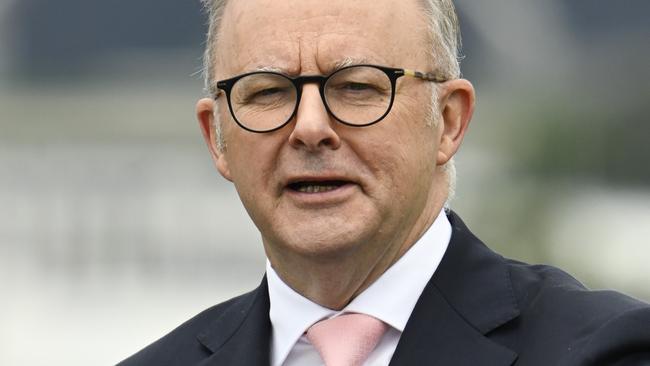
313,125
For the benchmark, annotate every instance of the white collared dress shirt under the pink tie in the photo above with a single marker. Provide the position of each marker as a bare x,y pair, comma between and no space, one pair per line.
391,298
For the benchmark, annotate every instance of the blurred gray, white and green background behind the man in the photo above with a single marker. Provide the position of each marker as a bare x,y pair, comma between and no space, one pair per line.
115,228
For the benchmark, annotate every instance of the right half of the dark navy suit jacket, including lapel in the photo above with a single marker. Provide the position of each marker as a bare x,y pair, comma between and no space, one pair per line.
482,309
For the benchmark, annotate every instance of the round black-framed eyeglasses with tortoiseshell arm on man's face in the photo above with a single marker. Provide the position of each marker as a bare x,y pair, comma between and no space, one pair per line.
358,95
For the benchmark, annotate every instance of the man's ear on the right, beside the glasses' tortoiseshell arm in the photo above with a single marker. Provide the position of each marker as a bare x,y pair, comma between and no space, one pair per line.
456,106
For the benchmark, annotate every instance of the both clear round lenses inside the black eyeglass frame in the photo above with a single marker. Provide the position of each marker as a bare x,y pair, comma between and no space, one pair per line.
356,95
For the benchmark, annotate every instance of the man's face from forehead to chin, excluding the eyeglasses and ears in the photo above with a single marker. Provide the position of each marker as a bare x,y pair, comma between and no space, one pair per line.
385,175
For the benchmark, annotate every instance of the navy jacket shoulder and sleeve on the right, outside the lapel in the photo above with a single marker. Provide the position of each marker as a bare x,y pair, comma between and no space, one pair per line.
589,327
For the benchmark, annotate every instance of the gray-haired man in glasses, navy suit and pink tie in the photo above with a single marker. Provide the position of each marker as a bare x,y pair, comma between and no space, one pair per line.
337,122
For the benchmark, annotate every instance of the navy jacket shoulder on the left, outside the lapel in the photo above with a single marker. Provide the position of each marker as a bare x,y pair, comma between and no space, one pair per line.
182,346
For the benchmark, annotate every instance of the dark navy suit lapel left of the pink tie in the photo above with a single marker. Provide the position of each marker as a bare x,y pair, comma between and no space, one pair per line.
241,335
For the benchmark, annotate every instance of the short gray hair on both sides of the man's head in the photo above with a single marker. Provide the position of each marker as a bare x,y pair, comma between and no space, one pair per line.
444,49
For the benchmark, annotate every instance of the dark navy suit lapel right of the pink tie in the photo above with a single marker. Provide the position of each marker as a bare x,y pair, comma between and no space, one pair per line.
468,296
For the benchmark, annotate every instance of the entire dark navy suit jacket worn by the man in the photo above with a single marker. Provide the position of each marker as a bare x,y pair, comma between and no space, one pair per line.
478,309
